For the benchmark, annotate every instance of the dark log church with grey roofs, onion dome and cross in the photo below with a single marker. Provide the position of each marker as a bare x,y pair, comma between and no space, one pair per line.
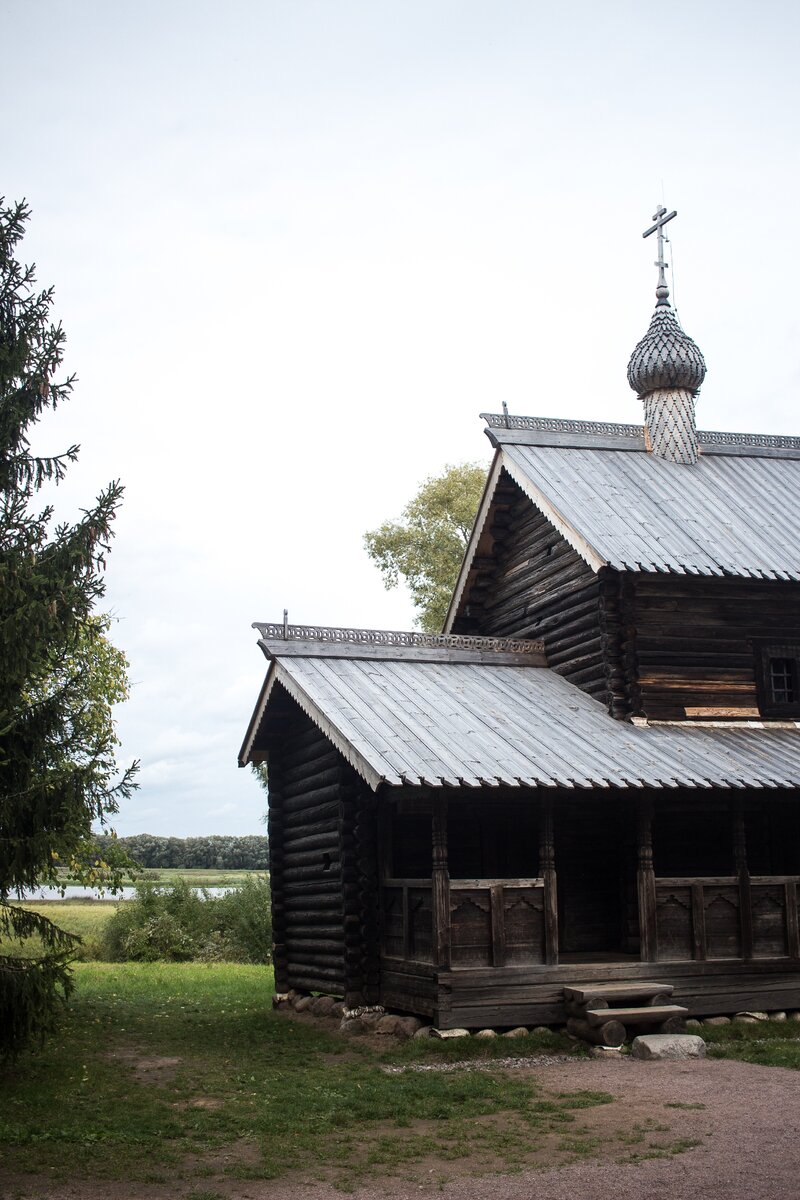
593,776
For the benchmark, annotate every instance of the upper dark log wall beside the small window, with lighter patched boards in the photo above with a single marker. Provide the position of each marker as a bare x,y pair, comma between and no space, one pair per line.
694,640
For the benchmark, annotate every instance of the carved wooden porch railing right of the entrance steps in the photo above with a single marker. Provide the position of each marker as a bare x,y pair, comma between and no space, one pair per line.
727,917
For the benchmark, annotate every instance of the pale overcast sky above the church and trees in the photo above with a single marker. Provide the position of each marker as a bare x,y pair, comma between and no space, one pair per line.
299,247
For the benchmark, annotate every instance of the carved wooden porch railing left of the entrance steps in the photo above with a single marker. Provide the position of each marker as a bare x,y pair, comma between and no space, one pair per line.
494,923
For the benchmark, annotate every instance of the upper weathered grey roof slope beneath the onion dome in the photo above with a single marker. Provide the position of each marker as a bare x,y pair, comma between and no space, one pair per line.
725,515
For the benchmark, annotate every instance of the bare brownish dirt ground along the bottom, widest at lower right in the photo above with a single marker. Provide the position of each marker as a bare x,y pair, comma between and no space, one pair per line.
685,1131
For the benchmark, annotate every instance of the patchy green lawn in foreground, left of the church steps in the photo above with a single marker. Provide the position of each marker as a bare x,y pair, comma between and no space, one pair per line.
97,1103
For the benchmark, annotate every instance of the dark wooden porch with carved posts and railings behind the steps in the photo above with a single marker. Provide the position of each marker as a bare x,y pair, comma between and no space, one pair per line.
500,950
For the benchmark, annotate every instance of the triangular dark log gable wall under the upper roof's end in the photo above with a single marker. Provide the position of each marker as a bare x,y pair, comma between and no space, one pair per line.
538,586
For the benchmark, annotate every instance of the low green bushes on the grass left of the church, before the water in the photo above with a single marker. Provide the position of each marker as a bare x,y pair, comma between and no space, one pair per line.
179,925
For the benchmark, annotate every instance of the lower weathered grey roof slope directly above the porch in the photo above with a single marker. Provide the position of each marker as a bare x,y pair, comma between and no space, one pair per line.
470,724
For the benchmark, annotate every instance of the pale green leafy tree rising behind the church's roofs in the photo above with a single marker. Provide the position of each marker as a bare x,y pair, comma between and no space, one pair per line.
426,547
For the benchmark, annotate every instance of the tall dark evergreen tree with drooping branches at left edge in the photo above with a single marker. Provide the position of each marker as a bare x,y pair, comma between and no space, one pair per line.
59,674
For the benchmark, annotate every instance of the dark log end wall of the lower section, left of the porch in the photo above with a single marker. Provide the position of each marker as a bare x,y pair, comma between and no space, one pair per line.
323,866
